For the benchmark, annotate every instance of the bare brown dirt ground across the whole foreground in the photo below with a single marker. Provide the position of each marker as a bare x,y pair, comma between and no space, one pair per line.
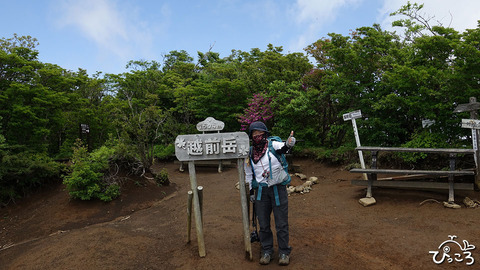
146,228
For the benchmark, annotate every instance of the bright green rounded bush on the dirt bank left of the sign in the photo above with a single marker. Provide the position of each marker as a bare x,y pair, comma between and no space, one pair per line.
87,179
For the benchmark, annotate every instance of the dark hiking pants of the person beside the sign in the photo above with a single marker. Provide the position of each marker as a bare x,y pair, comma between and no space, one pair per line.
264,209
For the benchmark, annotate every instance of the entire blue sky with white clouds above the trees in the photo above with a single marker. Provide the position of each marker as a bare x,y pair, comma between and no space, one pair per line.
103,35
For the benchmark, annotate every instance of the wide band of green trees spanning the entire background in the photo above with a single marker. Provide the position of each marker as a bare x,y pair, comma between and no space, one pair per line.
396,80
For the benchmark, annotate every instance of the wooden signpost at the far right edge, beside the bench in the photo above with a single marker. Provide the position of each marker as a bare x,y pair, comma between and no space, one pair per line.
473,106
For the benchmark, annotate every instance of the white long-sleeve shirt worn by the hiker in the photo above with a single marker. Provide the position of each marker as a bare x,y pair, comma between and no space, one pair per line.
262,165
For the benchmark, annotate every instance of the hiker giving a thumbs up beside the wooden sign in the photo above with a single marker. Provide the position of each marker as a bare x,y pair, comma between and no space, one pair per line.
267,176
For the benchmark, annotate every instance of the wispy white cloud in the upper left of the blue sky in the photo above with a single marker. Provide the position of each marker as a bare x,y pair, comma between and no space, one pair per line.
116,30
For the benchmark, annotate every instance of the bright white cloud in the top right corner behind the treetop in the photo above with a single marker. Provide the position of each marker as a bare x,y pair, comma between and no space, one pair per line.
460,15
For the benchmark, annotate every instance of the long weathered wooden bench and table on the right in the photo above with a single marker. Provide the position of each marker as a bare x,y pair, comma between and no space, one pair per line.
451,173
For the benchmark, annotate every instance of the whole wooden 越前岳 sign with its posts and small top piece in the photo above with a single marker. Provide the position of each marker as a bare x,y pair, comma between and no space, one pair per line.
214,146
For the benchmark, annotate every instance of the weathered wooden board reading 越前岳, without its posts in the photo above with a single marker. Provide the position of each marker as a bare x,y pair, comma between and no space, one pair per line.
212,146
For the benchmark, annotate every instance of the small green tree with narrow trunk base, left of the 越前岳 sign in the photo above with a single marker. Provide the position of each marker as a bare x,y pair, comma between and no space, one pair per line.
138,117
